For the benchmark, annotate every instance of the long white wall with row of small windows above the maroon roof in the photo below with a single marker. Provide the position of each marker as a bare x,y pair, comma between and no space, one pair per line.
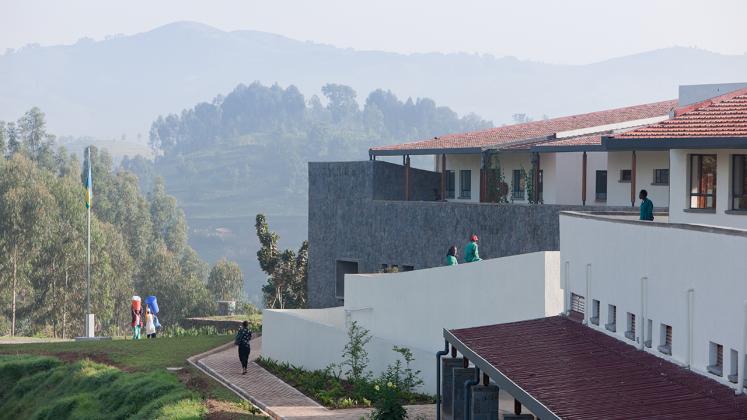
674,260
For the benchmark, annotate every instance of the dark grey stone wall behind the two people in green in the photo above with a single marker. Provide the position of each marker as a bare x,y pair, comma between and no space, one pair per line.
346,223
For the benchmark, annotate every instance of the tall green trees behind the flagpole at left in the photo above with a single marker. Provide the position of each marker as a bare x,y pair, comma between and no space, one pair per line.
138,243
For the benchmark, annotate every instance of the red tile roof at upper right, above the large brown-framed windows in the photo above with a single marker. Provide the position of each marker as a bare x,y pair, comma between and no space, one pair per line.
723,116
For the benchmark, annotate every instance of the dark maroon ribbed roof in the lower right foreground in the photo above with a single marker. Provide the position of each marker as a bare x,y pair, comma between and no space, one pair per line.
579,373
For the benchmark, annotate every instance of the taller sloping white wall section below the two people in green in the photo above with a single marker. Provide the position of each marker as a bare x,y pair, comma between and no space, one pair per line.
412,308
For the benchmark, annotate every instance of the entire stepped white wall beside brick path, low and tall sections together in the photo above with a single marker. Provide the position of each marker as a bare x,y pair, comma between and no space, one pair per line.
412,308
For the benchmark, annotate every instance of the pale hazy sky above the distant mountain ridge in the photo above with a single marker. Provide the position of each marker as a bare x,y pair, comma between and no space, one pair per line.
567,31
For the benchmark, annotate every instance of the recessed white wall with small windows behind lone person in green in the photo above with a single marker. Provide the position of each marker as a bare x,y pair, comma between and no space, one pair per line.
618,193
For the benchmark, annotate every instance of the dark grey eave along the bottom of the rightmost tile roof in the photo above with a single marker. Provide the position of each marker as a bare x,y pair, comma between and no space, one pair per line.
647,143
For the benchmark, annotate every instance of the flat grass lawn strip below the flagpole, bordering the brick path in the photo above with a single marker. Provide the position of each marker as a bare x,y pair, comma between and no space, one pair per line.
151,356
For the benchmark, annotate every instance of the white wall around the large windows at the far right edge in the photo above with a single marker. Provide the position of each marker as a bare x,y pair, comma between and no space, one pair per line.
680,187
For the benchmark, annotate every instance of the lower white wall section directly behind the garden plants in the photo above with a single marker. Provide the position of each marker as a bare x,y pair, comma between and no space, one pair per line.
292,336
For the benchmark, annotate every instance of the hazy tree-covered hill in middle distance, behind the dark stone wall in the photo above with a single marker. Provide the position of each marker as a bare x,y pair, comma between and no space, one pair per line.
247,152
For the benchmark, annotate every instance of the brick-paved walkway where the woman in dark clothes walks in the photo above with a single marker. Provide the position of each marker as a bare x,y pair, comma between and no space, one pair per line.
274,396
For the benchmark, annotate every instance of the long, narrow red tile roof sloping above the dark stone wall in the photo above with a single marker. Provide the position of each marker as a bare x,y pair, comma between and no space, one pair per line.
537,129
